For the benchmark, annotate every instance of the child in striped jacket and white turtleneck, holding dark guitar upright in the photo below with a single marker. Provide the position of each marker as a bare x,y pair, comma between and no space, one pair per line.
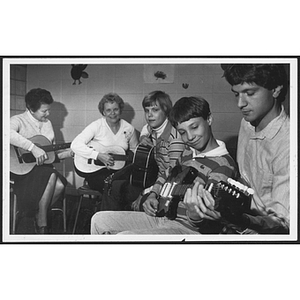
158,133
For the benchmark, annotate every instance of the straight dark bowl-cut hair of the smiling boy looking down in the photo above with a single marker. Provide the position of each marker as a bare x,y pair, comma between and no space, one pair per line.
187,108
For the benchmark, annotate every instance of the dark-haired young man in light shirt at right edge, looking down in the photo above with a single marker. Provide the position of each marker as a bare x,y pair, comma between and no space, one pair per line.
263,152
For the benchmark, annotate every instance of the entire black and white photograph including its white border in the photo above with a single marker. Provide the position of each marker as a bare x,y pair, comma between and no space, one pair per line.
150,149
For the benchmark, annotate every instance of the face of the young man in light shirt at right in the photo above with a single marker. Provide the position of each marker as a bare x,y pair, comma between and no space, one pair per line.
255,102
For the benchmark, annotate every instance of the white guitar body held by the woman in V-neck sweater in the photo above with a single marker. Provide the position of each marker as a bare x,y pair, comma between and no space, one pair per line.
86,165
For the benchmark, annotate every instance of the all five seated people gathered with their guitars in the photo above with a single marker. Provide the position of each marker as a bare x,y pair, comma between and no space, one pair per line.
184,147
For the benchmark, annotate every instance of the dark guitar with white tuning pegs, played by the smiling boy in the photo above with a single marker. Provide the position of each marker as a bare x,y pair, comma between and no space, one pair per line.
230,197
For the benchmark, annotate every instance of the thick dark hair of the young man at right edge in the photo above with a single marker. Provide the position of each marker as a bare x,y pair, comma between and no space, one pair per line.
269,76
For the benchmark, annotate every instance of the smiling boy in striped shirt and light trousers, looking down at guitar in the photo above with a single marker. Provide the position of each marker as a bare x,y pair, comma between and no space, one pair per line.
192,118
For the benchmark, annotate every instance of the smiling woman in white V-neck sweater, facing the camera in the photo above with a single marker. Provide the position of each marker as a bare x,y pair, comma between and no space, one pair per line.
99,139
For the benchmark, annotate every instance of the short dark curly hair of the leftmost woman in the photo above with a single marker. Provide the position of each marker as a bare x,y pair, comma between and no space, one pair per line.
36,97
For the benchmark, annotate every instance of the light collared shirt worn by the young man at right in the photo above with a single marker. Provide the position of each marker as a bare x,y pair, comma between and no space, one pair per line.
264,163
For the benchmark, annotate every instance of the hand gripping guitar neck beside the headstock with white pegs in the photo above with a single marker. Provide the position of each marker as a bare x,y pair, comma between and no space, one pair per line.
200,203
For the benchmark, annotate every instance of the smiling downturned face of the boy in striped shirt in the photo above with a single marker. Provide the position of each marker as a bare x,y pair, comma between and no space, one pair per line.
196,132
